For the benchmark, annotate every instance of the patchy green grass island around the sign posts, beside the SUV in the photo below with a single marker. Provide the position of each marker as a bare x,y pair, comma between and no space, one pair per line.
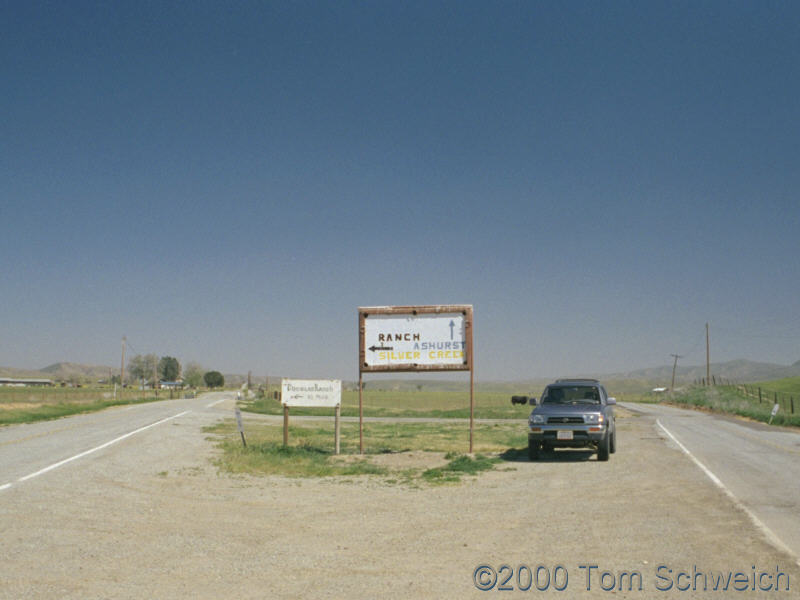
397,453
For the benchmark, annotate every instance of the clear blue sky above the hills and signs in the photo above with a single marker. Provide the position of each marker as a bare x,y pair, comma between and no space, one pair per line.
228,182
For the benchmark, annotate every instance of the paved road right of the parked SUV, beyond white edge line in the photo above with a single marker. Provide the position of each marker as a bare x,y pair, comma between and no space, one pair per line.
757,466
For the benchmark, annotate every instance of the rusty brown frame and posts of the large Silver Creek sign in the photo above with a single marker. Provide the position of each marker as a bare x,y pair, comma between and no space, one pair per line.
363,367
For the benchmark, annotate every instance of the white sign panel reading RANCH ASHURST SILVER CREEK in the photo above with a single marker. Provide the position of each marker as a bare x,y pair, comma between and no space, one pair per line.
426,340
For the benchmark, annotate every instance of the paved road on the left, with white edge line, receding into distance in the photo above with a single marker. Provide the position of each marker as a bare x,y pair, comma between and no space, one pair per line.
31,451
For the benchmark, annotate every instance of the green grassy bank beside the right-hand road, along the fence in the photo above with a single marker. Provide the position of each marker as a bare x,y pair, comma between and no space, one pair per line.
735,400
